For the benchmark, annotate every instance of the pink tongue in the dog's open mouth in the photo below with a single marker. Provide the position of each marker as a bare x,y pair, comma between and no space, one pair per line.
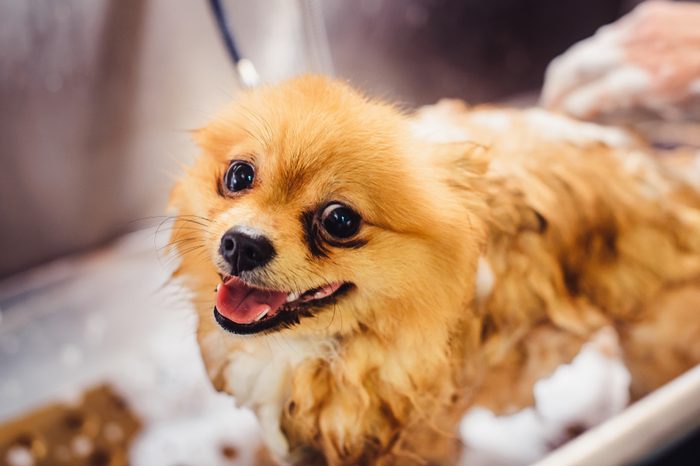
243,304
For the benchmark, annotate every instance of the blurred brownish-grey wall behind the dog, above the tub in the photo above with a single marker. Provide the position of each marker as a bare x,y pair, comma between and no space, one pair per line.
98,96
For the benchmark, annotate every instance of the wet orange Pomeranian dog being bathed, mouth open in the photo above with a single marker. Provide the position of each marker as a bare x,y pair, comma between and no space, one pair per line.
379,271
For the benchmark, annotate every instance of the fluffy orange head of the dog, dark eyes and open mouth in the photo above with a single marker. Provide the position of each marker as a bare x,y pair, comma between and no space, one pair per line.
313,209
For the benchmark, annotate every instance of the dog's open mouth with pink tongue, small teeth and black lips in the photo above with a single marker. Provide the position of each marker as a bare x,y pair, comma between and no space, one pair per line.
245,309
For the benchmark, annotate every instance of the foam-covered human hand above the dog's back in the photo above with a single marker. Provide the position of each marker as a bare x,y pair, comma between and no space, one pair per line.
645,64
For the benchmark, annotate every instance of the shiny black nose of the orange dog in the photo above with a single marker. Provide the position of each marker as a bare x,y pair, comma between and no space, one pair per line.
245,252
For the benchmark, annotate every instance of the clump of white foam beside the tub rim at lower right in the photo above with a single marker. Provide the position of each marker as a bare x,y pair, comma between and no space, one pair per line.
584,393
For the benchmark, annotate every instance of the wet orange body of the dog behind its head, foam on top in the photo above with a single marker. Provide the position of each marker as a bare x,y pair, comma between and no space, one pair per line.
588,227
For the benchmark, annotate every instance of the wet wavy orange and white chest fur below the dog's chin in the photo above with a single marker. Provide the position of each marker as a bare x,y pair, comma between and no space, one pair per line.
303,389
